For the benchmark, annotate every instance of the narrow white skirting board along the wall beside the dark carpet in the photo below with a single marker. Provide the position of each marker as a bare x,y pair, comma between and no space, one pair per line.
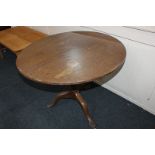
126,97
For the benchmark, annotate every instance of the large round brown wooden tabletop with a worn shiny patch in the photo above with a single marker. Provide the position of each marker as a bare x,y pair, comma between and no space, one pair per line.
71,58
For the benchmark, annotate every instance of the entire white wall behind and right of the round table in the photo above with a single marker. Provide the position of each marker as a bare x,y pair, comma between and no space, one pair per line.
136,80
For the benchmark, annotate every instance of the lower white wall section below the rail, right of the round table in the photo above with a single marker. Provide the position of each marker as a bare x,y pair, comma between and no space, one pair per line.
136,80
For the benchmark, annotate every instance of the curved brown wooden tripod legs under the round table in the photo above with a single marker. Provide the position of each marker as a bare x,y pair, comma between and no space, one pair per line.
77,96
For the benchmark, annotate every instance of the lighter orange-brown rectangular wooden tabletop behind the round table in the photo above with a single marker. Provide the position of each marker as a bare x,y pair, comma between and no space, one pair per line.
18,38
